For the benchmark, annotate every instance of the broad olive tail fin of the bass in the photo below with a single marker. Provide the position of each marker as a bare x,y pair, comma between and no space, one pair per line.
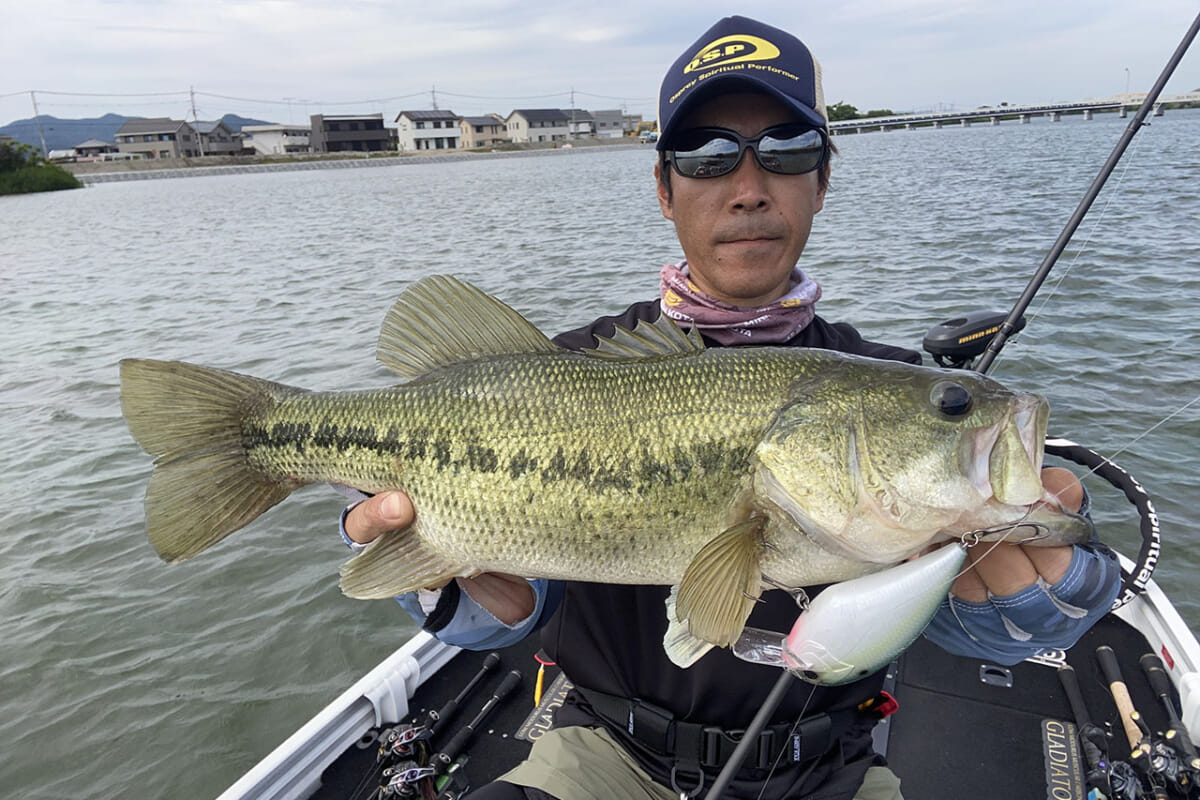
190,419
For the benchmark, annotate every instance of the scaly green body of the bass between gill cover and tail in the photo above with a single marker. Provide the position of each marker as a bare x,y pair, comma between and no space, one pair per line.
536,462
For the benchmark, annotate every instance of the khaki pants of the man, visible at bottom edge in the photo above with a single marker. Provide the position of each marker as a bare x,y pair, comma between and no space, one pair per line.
577,763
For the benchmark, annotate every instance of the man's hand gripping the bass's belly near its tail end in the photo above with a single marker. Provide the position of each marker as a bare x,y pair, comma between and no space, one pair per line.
507,597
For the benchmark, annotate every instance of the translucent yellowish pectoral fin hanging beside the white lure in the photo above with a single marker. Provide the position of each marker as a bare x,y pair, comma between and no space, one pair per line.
721,586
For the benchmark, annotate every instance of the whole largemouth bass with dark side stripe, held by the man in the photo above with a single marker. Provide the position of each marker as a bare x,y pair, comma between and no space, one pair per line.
647,461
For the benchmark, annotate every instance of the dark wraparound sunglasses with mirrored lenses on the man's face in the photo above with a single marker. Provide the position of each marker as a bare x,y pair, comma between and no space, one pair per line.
784,149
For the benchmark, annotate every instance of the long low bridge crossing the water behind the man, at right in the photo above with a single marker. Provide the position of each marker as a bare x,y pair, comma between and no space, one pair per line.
994,115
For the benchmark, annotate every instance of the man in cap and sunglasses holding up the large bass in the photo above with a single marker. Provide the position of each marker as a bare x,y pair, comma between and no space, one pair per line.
743,169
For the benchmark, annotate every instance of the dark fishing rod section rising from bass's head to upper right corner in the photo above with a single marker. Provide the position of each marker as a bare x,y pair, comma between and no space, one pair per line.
1011,323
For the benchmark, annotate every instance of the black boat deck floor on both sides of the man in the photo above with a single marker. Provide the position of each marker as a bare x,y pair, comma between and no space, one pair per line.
965,729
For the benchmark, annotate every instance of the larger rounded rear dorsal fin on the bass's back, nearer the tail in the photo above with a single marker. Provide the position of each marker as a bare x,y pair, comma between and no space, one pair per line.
441,321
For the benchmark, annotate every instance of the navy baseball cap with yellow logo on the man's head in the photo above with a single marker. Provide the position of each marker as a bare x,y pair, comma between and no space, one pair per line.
747,52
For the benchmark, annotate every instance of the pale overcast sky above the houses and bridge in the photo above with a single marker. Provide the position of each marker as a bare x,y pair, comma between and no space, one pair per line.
283,61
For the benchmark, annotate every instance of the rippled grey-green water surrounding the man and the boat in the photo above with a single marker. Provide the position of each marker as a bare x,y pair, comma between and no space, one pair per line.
124,677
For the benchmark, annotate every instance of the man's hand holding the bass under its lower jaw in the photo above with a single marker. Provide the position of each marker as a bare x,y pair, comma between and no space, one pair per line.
1009,569
